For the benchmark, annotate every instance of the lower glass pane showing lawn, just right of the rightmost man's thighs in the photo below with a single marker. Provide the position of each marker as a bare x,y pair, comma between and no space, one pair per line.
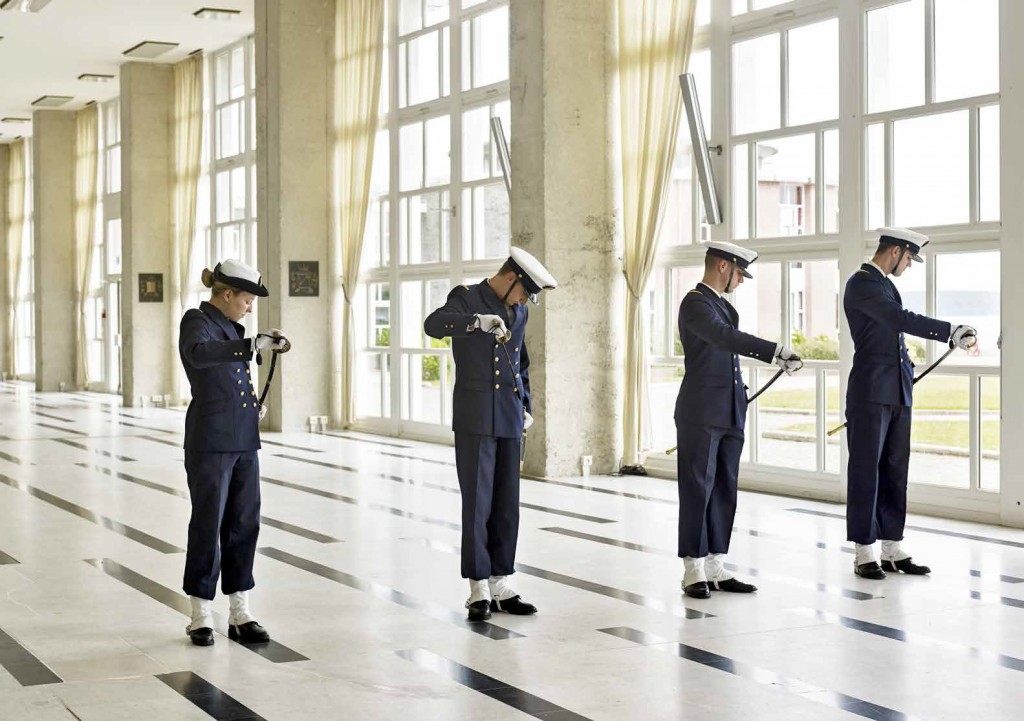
941,445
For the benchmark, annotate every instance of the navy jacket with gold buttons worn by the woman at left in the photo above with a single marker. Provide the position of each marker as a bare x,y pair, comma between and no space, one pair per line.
224,416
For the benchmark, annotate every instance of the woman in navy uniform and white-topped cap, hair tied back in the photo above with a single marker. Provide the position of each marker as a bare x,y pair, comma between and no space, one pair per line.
222,441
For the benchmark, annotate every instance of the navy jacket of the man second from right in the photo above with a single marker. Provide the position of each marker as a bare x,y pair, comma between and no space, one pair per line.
713,393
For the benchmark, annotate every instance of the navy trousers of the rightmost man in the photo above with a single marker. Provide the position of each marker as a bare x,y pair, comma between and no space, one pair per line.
879,439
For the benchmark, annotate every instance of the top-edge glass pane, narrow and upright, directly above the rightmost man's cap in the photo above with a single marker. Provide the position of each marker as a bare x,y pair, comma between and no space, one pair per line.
897,57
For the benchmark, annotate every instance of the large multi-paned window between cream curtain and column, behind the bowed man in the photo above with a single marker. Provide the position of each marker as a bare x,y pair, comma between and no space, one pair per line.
440,210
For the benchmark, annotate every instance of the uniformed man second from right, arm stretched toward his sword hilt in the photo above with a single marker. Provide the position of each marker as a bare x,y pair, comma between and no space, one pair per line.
711,413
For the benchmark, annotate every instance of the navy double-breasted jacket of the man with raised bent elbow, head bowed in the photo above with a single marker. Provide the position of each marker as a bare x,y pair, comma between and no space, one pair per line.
485,401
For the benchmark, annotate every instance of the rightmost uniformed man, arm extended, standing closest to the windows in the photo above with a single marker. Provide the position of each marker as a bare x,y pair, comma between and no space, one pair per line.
879,398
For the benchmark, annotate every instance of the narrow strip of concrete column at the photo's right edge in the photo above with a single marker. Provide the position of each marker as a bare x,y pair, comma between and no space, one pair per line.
1012,249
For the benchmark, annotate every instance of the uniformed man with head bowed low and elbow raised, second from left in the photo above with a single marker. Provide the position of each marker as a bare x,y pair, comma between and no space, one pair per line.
492,409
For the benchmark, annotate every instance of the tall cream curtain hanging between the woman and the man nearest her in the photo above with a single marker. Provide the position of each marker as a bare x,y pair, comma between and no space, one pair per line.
359,56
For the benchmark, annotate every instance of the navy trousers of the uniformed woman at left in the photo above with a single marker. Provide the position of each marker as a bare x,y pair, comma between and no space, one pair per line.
225,525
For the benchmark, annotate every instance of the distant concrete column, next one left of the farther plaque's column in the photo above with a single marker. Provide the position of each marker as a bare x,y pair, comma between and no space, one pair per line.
54,186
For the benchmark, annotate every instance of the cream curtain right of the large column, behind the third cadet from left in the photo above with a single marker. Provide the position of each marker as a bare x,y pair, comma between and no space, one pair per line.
655,43
